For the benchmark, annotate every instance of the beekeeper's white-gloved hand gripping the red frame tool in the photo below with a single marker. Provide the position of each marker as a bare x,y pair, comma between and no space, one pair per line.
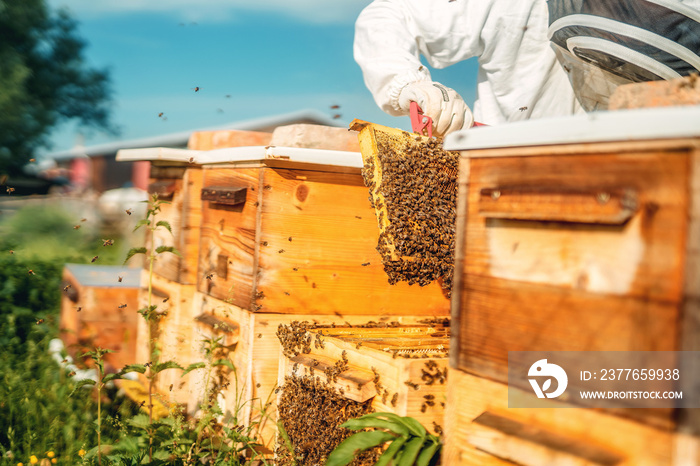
442,104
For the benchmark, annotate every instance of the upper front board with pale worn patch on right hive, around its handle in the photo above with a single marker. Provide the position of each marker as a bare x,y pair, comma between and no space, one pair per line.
642,258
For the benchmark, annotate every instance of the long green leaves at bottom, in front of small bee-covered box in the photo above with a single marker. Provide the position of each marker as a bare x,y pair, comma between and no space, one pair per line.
408,442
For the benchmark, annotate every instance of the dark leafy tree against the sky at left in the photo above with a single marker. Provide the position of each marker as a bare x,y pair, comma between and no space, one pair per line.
44,80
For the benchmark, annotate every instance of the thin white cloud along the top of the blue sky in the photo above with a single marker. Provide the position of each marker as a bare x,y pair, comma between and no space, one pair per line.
312,11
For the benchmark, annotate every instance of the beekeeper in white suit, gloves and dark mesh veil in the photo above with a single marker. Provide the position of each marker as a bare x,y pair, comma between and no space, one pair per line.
520,75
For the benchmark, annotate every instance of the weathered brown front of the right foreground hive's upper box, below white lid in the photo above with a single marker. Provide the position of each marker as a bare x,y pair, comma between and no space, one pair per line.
581,284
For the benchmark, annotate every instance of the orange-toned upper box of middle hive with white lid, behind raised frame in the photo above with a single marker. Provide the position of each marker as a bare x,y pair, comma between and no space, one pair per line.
291,230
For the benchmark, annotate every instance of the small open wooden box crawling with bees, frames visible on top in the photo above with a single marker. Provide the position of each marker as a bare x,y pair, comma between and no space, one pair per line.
332,374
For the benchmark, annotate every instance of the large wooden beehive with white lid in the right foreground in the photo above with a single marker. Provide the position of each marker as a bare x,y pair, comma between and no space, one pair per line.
576,234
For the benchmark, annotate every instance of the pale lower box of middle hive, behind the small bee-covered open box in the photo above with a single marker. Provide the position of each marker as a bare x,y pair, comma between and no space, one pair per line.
252,346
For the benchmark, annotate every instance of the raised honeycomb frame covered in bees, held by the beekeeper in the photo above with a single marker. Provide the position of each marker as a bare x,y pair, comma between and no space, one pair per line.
413,188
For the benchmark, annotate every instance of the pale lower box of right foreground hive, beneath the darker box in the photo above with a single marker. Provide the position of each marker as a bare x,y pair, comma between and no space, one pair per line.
581,430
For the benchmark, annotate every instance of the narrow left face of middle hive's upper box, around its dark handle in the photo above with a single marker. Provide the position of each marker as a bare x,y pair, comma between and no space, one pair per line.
229,236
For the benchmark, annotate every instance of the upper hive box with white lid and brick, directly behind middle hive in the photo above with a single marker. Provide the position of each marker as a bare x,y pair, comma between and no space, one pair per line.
177,180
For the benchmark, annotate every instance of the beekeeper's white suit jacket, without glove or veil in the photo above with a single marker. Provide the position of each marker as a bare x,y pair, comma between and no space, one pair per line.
519,75
